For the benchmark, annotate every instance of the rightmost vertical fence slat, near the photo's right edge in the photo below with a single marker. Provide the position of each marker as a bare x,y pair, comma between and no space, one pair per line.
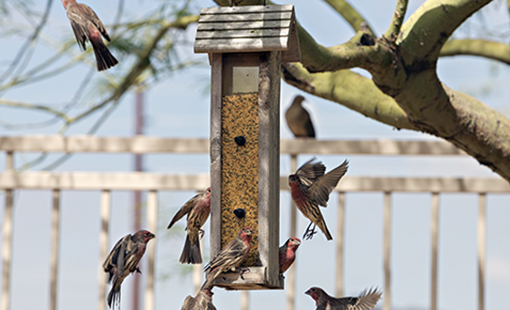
482,232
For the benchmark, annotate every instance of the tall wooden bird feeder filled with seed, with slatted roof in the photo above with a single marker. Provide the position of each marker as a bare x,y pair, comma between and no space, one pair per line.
246,46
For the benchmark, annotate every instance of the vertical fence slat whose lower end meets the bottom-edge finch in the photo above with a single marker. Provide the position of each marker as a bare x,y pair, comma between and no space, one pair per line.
340,245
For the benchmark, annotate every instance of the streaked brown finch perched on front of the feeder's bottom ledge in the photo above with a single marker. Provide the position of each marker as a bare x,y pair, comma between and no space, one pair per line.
231,256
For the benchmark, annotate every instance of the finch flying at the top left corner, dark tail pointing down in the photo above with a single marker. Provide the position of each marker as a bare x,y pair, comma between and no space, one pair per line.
87,26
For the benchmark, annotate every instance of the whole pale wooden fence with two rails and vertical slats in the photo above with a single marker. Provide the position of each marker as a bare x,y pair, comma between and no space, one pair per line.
106,182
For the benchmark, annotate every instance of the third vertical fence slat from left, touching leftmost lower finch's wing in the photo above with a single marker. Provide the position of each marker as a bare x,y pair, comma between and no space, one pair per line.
103,245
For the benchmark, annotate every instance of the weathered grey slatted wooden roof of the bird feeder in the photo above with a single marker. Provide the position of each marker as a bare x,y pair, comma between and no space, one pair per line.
248,29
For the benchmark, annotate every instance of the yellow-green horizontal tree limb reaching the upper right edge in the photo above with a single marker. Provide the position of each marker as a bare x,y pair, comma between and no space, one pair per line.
483,48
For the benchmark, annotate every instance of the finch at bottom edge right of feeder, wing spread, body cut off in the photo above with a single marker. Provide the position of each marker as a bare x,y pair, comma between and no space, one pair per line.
366,300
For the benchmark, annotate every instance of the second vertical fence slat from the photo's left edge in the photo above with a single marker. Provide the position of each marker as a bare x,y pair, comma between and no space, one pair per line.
55,246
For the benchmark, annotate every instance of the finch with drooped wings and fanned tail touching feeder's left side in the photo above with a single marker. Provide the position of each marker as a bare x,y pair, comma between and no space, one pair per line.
197,209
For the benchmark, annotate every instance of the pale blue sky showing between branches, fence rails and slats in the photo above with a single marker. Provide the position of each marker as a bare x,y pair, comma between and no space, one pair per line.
178,107
